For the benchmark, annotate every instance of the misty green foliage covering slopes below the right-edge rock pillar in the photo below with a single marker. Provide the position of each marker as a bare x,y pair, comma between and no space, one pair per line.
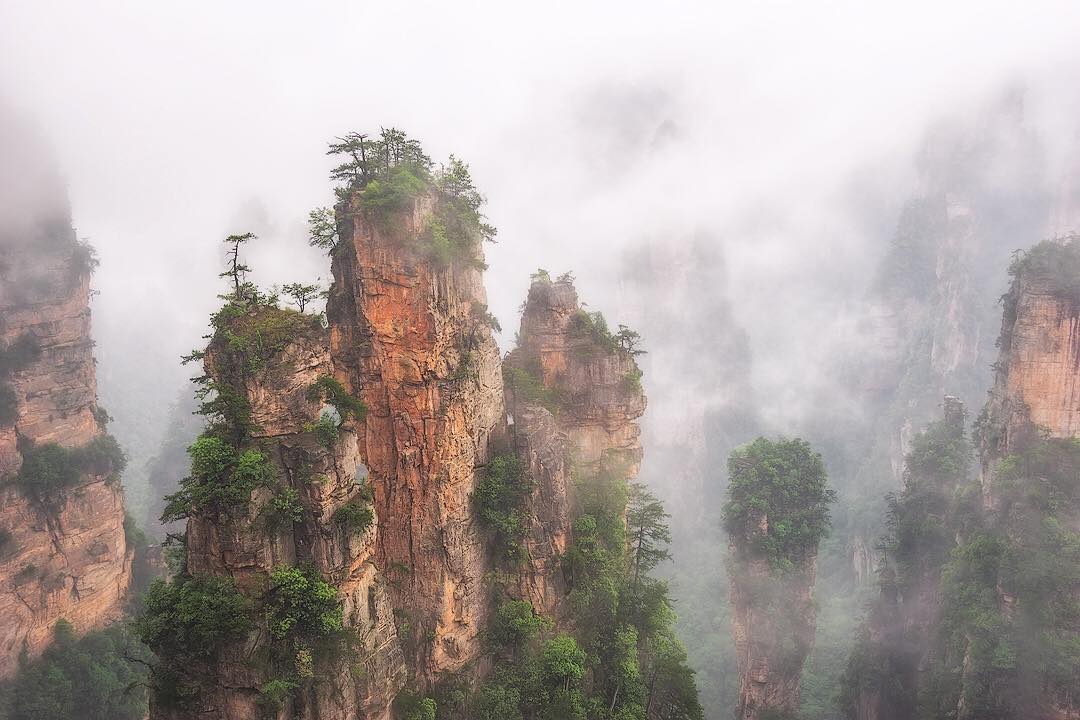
1005,643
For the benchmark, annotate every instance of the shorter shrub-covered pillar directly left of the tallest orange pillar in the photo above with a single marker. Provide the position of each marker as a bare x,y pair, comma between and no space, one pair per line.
280,524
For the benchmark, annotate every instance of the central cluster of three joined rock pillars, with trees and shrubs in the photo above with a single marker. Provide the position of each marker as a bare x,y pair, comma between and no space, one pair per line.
367,536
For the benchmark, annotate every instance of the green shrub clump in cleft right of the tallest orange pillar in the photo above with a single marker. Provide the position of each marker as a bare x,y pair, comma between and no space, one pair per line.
499,500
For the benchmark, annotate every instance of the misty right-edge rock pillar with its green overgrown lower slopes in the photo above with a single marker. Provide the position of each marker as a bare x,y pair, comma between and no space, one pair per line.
984,567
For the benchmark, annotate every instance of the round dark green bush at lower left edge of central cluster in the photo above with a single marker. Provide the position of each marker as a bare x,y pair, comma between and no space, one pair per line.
191,619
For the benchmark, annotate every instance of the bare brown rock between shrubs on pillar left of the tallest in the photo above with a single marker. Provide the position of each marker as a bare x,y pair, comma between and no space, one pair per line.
326,474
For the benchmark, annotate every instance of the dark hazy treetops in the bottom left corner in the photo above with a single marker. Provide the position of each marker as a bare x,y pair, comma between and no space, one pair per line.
98,677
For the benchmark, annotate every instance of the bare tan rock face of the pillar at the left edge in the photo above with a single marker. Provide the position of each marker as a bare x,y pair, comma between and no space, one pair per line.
65,555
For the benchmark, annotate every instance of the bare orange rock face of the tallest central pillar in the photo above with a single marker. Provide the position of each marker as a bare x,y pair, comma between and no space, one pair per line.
412,342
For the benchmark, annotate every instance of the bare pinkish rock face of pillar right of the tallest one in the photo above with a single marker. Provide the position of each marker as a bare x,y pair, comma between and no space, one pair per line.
574,405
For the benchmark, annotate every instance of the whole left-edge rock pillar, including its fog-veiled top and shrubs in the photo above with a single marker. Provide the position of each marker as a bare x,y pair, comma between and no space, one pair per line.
63,551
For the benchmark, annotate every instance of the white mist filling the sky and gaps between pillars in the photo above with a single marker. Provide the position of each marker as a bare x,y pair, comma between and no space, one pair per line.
727,179
